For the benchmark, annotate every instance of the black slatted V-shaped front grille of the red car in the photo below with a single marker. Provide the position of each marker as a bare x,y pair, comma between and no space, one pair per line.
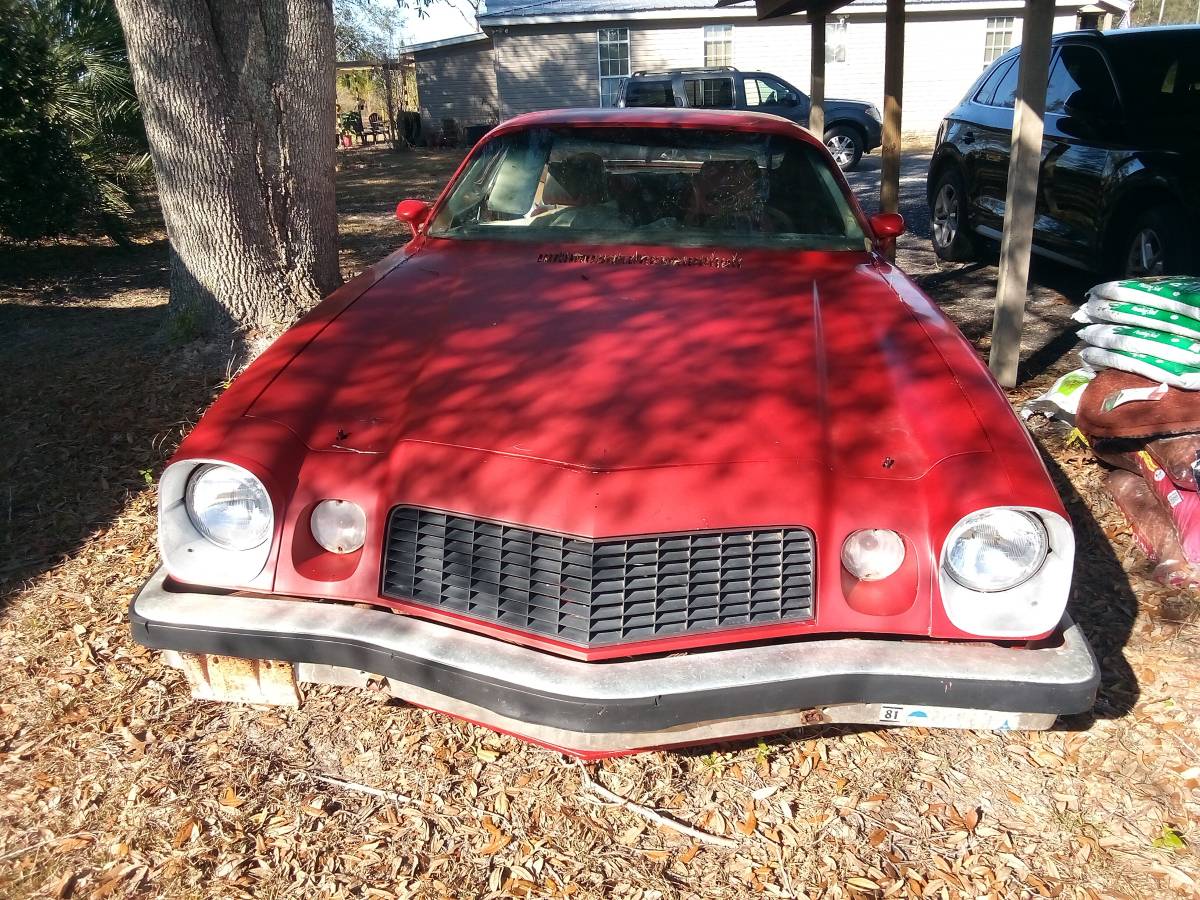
598,592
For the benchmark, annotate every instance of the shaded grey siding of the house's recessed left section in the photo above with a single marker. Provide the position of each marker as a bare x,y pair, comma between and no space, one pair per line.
458,83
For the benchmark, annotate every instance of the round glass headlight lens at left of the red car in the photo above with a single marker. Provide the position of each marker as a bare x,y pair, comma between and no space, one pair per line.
230,507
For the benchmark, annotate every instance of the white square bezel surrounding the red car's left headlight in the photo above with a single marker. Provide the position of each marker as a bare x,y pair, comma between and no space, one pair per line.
187,553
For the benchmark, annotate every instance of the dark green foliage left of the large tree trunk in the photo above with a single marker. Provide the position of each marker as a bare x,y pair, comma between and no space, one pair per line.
73,147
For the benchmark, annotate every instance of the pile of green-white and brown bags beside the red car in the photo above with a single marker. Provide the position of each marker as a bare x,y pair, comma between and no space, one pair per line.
1141,413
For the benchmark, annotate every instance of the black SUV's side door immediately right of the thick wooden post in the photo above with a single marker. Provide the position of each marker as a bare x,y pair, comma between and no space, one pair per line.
1082,130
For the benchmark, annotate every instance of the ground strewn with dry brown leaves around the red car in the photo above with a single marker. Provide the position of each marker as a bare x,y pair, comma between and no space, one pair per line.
113,783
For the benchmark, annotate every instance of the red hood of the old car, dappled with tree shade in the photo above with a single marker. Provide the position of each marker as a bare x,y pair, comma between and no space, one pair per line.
621,361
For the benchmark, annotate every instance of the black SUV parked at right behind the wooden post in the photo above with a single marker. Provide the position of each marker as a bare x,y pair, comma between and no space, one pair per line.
1120,184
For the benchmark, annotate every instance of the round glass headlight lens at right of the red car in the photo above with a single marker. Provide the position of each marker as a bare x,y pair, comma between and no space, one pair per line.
997,550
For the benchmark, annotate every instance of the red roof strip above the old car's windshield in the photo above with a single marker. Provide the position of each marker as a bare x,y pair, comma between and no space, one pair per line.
661,118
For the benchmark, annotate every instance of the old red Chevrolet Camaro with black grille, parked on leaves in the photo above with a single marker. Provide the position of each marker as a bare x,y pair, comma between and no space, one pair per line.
639,442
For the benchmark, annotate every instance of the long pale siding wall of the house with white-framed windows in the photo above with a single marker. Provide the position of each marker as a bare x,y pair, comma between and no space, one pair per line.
551,67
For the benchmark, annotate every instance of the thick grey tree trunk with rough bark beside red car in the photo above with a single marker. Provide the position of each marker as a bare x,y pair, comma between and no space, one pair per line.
238,98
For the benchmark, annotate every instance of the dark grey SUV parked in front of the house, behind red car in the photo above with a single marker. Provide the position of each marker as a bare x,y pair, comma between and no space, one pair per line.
853,128
